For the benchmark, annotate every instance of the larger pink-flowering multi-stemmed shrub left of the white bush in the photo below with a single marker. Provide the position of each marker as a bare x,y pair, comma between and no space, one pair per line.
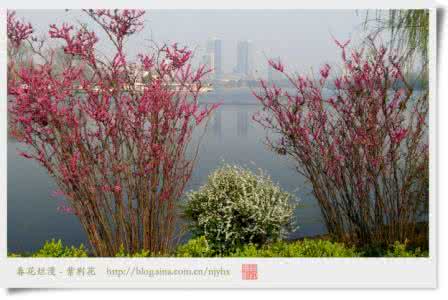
116,136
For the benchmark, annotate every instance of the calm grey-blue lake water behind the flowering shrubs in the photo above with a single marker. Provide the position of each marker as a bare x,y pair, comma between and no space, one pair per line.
232,137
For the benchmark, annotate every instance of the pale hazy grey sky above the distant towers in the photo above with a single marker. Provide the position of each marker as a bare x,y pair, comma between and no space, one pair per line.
301,38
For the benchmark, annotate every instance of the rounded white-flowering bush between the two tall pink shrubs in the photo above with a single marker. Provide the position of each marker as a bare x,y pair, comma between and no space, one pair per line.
237,207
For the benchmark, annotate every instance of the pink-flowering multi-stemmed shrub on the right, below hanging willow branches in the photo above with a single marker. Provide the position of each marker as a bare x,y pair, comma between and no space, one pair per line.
360,138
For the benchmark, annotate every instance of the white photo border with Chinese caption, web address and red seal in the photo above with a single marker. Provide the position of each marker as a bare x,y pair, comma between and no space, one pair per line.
226,272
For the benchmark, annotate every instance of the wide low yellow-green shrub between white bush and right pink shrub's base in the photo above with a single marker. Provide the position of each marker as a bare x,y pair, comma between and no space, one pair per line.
305,248
